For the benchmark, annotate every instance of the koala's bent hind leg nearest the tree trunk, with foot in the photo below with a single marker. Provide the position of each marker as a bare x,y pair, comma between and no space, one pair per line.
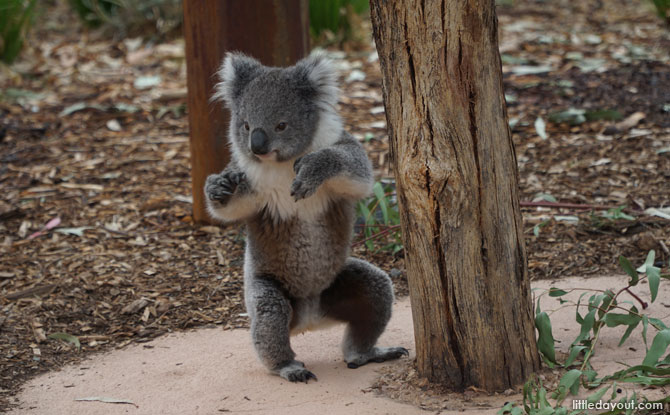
362,295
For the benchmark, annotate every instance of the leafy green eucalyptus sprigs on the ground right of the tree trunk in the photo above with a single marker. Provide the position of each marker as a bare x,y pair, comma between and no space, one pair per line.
603,309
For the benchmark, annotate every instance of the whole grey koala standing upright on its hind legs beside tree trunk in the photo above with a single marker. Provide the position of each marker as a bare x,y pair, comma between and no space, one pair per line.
293,179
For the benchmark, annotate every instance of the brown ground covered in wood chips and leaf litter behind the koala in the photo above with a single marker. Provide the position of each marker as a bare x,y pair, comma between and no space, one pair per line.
94,147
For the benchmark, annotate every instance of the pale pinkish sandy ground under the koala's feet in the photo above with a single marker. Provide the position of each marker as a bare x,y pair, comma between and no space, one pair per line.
210,371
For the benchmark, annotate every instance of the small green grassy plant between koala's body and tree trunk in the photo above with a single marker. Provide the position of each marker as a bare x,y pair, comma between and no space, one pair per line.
380,219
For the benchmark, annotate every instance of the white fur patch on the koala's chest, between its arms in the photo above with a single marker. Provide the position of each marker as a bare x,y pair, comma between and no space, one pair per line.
272,183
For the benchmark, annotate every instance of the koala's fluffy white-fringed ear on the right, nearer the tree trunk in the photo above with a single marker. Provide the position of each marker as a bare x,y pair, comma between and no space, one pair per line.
316,75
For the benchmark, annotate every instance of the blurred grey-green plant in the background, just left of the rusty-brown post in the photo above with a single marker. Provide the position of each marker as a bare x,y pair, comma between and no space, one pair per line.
131,17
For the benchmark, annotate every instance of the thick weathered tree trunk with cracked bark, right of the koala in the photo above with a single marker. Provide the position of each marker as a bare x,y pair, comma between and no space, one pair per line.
457,181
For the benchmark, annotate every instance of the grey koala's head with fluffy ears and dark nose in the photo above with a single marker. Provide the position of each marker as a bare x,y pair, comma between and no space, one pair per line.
279,114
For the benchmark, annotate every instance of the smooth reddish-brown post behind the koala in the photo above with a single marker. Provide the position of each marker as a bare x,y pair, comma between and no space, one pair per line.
274,32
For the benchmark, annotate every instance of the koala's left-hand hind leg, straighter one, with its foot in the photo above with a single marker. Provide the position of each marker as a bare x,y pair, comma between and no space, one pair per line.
270,312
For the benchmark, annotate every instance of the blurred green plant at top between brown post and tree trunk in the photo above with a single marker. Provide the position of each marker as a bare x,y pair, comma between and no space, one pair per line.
332,18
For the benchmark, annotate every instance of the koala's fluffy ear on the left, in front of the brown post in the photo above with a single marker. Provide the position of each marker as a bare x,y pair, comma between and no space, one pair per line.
235,74
